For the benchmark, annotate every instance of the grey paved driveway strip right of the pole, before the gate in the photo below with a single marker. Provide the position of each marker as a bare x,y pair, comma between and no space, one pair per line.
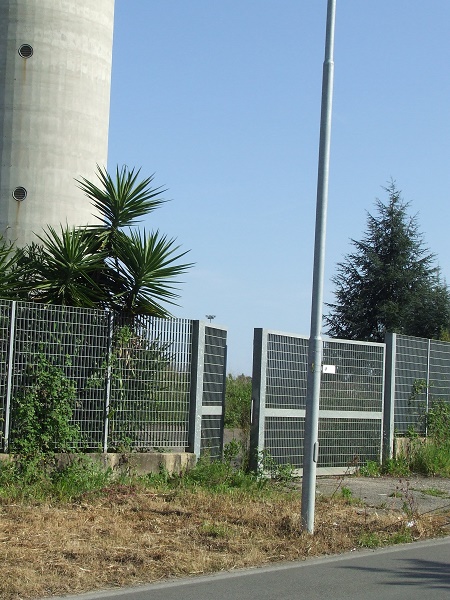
422,494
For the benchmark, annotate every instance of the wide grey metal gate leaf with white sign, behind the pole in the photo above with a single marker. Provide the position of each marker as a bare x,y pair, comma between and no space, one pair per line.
351,400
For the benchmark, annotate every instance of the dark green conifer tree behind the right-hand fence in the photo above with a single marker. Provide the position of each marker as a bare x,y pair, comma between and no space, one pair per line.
390,283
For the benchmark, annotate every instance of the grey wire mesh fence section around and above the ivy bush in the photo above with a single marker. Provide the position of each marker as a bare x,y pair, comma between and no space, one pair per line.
75,341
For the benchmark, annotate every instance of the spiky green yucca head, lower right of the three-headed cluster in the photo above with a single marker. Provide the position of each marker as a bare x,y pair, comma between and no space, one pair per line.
148,269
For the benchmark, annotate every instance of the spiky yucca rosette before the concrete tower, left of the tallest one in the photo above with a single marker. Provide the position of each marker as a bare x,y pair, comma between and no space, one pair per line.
68,268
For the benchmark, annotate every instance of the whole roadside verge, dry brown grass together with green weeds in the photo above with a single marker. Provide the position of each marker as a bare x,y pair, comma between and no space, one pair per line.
88,530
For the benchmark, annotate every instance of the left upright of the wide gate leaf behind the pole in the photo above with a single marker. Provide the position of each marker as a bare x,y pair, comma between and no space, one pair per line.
258,397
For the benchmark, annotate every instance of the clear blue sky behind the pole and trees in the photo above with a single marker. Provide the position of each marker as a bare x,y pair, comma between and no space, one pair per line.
221,101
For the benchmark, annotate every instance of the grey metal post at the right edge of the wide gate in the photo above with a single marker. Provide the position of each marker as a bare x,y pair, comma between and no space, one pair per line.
389,396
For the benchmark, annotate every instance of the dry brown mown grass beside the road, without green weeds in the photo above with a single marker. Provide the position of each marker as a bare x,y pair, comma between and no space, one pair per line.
133,535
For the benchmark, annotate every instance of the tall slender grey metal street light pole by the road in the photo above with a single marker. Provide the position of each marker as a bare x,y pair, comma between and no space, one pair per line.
311,444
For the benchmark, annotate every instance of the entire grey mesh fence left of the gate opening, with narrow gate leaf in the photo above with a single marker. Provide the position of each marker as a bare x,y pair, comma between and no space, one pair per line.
134,381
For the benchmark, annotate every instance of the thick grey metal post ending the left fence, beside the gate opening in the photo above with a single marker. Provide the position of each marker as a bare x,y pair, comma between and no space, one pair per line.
196,391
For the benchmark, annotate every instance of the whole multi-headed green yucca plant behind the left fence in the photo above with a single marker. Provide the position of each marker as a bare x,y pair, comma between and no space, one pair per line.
108,265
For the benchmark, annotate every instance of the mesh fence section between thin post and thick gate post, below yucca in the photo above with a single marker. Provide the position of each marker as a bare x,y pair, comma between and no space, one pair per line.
150,384
